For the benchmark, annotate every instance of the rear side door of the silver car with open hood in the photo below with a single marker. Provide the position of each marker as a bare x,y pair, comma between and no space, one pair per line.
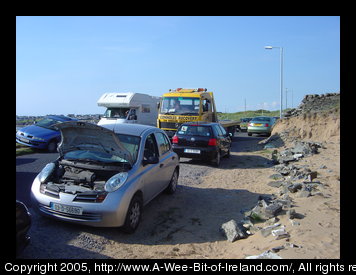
166,157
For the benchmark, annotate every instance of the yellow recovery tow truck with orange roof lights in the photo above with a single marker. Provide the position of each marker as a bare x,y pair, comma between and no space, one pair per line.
185,105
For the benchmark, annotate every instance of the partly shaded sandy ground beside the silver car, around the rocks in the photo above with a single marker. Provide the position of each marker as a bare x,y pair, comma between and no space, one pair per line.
186,224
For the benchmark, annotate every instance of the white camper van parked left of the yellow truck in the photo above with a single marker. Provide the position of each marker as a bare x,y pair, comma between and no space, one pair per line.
129,108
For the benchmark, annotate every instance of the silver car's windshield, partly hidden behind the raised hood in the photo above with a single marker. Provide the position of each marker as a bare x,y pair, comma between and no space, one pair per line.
130,143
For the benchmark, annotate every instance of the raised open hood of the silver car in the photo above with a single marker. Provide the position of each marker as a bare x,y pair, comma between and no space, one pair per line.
83,135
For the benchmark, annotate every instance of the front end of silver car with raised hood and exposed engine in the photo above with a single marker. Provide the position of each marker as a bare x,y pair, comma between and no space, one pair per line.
86,184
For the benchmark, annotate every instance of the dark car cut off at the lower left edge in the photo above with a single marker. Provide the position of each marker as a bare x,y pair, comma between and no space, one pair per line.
23,224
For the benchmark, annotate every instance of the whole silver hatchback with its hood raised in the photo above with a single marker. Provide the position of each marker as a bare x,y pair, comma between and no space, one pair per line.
103,177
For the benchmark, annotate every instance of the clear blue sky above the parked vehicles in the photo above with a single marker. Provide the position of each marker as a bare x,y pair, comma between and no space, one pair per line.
64,64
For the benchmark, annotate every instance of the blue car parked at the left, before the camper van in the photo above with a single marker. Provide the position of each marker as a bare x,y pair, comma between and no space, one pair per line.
42,135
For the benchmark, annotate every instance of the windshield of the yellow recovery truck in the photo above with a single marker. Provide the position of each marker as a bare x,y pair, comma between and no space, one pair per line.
180,105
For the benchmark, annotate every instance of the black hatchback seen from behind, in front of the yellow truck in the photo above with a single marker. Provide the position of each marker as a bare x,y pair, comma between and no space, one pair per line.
202,140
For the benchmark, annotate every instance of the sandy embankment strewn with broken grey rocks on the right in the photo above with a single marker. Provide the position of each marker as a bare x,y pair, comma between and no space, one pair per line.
300,179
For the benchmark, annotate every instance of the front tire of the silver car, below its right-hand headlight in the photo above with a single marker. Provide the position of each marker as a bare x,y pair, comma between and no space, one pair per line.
133,215
